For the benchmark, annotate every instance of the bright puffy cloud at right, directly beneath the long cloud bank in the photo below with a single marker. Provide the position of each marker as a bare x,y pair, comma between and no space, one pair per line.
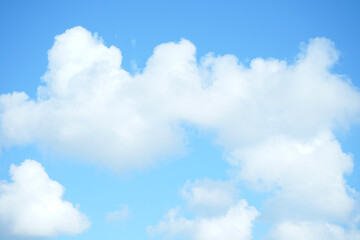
308,176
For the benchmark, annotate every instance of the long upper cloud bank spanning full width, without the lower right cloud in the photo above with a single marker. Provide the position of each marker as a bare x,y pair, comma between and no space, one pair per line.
91,108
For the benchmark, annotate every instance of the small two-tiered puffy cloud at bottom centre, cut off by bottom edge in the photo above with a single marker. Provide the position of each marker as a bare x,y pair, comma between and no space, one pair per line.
234,222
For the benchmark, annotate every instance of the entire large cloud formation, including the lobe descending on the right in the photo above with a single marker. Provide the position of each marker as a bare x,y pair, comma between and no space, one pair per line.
275,119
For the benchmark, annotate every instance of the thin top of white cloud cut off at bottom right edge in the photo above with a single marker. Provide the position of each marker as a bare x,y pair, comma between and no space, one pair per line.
312,231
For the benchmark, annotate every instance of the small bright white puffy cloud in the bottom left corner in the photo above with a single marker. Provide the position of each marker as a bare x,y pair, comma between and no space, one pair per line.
32,205
